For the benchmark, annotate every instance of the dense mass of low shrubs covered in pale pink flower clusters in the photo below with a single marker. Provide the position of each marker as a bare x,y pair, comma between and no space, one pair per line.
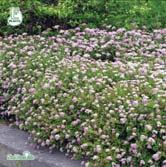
111,113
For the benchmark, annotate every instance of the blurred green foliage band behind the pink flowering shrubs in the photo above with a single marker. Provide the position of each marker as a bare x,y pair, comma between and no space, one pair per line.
39,15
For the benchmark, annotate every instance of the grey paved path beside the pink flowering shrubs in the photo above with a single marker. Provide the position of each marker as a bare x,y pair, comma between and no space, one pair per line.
13,141
